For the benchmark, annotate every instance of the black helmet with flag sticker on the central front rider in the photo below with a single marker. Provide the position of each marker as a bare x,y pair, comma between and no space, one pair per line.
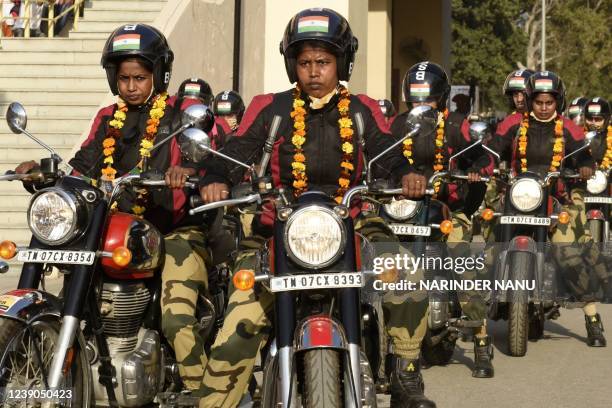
320,24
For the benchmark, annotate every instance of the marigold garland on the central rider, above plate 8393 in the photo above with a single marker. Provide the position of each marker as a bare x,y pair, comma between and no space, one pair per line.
300,179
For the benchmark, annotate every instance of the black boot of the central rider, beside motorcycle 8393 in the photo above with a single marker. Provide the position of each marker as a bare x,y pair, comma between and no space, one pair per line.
407,385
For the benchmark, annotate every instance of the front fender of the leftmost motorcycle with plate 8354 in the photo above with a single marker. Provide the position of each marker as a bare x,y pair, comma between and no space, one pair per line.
27,304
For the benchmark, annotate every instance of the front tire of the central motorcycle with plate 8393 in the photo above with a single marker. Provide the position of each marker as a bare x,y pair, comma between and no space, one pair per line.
322,379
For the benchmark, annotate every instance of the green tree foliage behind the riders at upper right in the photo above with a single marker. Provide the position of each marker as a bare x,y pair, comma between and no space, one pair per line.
493,37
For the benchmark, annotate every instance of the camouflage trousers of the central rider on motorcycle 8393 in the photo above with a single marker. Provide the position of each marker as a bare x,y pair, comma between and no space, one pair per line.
248,323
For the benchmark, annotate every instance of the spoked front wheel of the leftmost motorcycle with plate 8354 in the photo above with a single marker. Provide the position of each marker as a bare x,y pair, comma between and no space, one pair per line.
18,339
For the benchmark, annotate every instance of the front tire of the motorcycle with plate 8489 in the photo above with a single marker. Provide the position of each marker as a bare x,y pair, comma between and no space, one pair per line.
518,308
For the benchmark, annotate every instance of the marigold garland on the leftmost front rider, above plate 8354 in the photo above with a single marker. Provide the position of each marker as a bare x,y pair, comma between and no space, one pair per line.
155,114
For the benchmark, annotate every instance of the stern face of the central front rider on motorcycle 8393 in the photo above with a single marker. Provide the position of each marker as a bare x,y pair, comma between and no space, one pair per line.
316,71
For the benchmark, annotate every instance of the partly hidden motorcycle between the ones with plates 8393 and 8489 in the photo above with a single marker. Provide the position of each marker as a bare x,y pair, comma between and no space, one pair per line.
423,226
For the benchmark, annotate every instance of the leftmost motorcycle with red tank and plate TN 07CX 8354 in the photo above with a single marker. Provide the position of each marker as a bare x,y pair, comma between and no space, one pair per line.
99,343
